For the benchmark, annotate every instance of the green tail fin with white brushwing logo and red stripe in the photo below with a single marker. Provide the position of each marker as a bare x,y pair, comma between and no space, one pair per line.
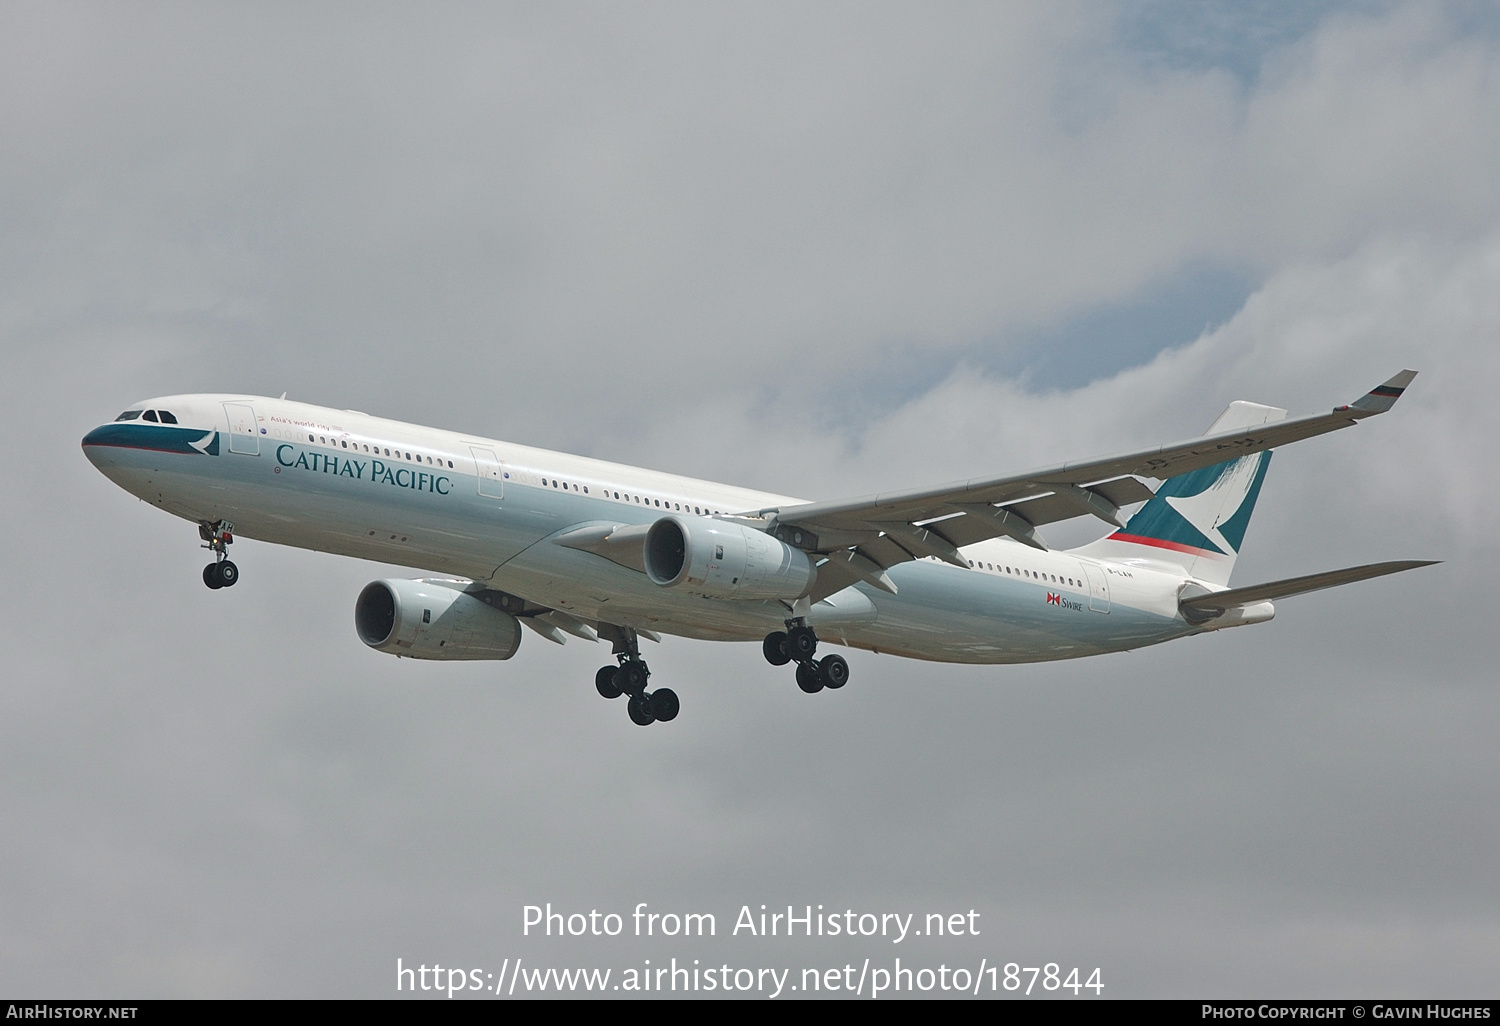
1199,520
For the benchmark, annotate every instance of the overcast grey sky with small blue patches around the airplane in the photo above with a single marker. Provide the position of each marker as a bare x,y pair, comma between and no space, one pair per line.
812,248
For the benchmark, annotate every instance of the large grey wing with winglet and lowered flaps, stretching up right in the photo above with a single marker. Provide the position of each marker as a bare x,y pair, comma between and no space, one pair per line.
868,535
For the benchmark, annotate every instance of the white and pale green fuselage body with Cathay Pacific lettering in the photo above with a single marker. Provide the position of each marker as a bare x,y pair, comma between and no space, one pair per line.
488,511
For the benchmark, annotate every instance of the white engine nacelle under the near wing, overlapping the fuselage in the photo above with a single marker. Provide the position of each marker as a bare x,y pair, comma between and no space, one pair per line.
719,560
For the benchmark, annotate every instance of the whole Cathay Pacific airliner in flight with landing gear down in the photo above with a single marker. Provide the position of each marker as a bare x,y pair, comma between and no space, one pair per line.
575,547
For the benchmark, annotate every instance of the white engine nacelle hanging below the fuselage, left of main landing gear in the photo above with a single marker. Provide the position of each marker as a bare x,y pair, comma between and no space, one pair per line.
433,620
